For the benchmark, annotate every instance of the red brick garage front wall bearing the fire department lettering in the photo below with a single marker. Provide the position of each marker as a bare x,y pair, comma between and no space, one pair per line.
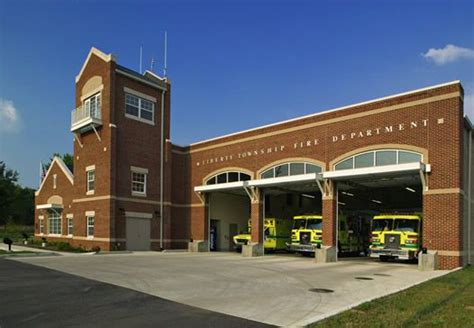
437,135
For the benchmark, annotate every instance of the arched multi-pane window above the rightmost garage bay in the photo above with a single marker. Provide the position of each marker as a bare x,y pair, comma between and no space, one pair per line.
378,158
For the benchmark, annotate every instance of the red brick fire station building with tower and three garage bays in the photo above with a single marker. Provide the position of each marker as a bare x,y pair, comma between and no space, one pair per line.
133,189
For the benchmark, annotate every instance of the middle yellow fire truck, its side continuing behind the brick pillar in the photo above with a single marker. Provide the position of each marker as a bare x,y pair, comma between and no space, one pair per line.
308,231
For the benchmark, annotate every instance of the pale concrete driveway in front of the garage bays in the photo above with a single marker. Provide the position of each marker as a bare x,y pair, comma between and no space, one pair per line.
275,289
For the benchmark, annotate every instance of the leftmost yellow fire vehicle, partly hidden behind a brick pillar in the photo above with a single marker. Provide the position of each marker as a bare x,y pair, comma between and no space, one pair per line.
276,235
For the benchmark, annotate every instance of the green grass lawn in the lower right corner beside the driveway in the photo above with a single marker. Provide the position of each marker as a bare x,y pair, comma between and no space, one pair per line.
447,301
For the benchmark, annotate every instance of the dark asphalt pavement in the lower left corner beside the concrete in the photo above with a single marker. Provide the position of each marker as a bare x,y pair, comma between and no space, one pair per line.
33,296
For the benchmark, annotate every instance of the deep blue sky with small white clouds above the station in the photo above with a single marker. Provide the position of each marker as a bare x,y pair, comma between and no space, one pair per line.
233,65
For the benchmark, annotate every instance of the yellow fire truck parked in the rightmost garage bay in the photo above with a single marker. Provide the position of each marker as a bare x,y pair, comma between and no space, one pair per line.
395,236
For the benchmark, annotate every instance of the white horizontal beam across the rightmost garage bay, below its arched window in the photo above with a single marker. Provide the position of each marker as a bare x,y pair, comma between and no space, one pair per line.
377,170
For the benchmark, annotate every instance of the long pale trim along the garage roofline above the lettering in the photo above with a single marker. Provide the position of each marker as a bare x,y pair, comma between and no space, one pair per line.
326,112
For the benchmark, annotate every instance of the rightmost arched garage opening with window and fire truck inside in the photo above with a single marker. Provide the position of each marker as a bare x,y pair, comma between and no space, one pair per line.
379,202
